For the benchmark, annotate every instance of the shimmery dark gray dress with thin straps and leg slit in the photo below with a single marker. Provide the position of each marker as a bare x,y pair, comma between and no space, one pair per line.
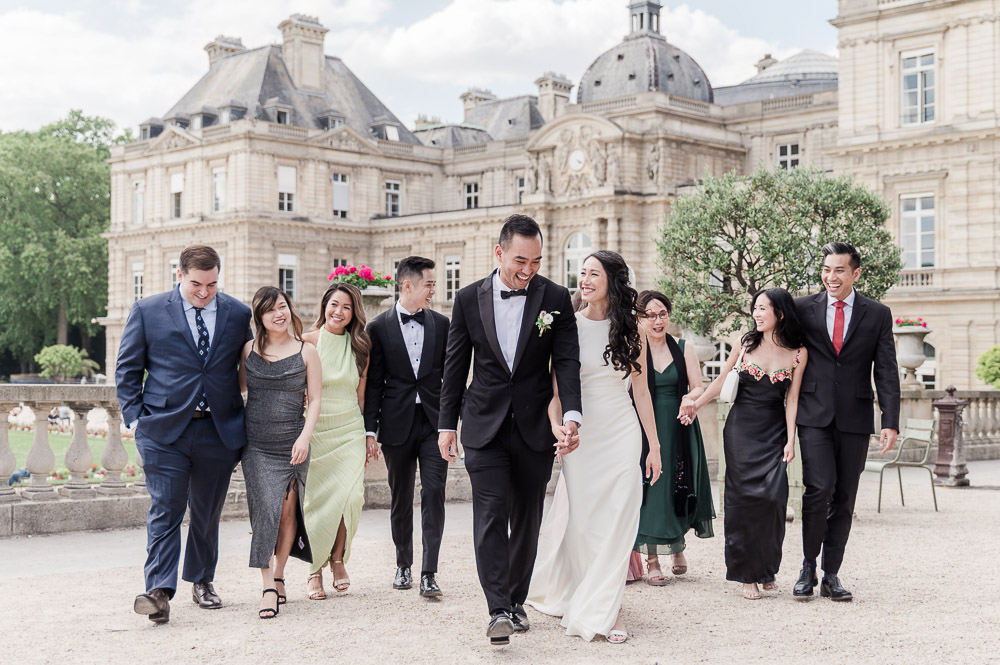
274,419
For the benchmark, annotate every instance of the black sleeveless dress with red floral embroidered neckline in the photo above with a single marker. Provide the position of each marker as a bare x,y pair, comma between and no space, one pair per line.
756,482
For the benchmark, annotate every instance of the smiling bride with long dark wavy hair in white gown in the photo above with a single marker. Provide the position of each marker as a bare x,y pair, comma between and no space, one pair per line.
588,533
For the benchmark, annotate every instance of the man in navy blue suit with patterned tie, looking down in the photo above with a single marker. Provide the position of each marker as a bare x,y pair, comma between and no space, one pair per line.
188,420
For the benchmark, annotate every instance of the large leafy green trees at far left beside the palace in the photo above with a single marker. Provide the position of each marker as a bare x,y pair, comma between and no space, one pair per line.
55,191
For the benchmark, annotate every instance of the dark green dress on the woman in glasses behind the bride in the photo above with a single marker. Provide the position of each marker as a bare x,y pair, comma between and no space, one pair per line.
661,530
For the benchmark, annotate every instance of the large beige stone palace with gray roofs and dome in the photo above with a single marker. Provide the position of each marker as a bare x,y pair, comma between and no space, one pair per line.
282,159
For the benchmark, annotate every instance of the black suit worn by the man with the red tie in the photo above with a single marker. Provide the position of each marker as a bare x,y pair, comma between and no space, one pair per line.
836,417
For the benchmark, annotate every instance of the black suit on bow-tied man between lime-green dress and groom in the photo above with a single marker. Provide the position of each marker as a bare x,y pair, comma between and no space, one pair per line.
408,430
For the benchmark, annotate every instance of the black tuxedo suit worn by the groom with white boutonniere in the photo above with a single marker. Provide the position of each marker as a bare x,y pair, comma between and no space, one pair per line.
505,427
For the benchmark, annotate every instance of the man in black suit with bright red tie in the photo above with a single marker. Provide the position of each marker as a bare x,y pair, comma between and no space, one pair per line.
846,336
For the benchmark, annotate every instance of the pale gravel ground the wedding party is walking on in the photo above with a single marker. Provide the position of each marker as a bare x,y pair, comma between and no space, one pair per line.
923,595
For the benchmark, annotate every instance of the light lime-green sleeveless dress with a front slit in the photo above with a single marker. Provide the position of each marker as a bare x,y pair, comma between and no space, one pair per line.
336,487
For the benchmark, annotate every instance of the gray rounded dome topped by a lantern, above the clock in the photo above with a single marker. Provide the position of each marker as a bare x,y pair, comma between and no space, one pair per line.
644,62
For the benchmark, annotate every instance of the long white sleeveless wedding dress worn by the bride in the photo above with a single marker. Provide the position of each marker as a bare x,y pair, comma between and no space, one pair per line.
590,528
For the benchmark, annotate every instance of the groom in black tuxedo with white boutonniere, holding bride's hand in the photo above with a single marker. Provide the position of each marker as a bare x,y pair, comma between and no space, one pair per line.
506,433
